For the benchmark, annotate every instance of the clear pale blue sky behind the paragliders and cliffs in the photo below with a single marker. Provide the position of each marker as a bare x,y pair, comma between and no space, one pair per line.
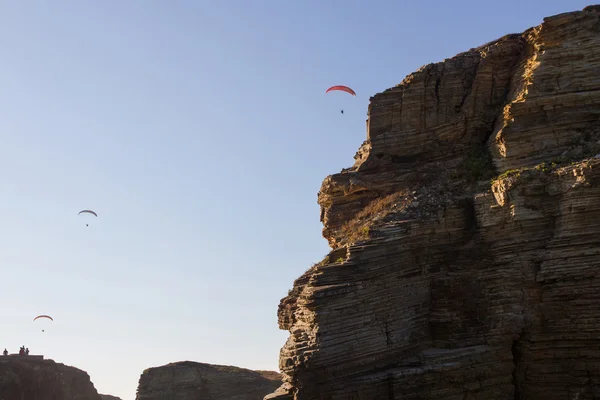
200,133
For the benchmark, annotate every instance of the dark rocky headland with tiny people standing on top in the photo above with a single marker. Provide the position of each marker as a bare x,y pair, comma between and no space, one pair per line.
24,378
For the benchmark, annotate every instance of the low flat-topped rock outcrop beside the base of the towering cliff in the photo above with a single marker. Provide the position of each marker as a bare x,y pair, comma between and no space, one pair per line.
188,380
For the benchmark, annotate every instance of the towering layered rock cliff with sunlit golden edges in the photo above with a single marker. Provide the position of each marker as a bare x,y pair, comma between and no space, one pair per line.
465,239
